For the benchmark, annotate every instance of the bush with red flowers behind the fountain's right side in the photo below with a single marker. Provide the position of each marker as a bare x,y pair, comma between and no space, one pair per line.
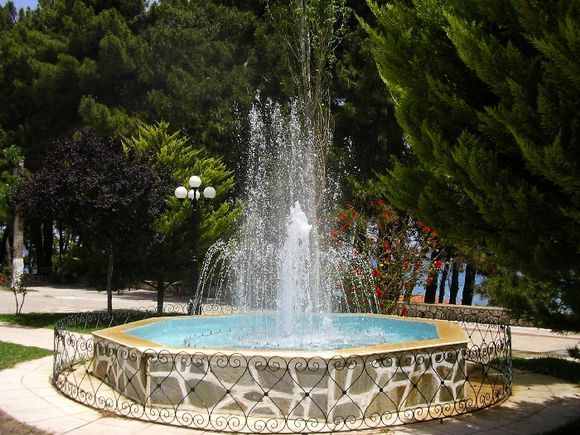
383,255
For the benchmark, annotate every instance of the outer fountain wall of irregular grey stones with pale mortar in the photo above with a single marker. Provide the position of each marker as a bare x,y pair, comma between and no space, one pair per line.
330,389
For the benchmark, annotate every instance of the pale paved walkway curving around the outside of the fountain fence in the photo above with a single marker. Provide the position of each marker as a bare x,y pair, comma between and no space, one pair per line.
539,403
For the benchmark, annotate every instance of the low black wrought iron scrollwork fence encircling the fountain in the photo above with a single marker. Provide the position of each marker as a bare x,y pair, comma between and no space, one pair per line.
255,392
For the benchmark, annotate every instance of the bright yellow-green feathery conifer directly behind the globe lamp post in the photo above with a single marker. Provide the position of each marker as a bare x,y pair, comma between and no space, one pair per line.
172,154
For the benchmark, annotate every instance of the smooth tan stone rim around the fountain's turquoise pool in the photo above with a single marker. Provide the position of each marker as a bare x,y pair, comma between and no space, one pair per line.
450,334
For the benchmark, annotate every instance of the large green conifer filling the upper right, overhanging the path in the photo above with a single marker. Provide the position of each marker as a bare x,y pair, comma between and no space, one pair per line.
486,94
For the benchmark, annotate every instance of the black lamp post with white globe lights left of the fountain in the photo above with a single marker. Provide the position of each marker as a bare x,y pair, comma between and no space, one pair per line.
194,195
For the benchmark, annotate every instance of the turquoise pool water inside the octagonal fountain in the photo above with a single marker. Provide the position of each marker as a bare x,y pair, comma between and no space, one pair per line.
261,331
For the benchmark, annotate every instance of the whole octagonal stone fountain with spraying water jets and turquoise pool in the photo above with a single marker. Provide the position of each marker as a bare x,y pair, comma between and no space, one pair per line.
284,360
